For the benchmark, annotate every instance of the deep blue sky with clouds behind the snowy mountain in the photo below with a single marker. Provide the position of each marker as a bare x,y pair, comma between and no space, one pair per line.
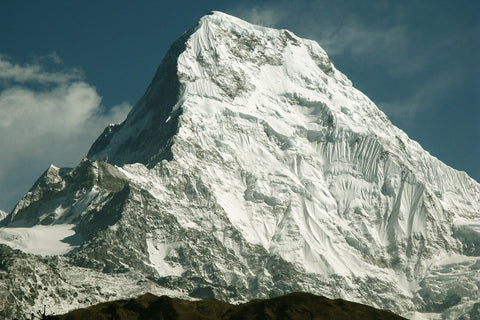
68,68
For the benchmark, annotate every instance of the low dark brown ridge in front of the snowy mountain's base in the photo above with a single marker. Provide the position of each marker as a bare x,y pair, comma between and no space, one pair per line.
290,306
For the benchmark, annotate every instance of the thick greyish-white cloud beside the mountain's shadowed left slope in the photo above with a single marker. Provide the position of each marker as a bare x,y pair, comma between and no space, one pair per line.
43,126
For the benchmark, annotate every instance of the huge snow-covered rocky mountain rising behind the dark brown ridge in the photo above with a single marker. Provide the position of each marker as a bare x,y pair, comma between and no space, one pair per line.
250,168
